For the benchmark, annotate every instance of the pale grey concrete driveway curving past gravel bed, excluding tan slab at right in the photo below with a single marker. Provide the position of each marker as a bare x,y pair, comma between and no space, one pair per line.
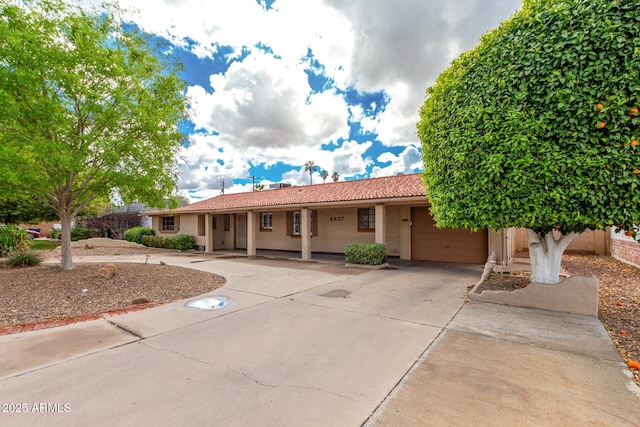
294,346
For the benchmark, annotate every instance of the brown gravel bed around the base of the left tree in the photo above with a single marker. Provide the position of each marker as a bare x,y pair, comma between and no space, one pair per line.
45,292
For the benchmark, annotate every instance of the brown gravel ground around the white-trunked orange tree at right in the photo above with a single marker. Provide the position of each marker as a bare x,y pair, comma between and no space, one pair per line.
618,297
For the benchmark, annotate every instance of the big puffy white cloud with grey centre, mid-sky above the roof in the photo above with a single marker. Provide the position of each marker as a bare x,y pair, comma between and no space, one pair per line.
263,102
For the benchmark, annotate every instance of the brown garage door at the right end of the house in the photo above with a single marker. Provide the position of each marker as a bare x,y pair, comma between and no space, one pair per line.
429,243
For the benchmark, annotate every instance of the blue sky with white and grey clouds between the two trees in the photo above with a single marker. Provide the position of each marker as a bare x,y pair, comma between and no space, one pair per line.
273,84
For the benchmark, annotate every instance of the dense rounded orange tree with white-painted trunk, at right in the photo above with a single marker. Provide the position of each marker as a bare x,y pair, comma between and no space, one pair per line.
537,127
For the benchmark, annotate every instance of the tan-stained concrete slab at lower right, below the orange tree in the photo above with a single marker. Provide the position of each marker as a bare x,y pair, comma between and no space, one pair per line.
505,366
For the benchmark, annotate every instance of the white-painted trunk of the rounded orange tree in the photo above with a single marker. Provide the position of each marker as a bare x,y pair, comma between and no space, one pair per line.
546,254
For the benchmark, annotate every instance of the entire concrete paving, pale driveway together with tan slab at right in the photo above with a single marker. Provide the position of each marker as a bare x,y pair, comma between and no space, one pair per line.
301,346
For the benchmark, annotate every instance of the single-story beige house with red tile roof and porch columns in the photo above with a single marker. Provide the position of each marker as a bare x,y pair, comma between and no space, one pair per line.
325,218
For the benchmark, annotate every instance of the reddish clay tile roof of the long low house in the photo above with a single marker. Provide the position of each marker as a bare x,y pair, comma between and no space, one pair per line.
390,187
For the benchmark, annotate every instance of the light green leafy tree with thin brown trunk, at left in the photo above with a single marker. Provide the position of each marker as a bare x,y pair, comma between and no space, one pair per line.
88,108
